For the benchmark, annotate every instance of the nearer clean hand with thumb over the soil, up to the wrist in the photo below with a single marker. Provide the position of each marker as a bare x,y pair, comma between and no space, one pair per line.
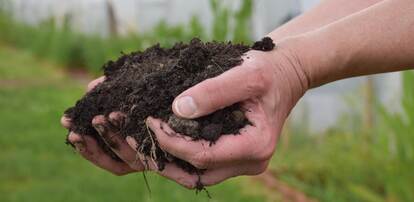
268,84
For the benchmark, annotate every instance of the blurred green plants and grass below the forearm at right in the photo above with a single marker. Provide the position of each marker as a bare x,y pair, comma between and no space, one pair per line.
344,166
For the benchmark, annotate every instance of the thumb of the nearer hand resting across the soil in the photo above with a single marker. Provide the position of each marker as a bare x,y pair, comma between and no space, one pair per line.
235,85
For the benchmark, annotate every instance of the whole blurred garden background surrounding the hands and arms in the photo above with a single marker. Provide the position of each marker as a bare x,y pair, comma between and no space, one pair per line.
347,141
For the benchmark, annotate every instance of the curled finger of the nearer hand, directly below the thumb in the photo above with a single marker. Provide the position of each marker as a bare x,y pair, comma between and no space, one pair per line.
227,150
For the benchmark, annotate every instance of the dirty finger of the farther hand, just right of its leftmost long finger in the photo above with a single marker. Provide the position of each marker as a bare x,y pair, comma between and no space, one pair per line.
114,140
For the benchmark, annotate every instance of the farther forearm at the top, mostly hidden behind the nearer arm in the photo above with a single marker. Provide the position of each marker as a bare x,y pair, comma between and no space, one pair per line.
324,13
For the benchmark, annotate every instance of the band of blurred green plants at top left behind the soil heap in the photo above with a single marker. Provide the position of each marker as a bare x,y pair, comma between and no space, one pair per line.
75,50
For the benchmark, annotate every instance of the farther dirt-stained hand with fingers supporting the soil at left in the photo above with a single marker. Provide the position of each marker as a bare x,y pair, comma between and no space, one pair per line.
125,149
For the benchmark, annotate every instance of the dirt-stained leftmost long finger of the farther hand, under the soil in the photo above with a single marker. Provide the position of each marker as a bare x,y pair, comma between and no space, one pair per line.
89,149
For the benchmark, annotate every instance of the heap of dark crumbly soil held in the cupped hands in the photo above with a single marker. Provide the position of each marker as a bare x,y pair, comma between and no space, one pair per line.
143,84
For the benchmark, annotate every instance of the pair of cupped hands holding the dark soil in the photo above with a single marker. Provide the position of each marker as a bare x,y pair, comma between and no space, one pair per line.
268,84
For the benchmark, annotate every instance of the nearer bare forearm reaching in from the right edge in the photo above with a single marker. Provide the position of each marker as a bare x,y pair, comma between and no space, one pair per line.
376,40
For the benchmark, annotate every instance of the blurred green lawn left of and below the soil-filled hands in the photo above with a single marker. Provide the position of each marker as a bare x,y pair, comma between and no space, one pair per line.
36,165
